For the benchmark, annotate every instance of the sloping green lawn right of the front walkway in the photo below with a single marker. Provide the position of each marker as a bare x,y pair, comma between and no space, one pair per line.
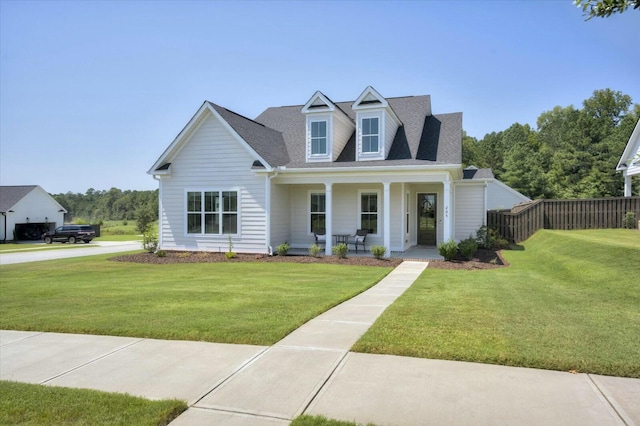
569,301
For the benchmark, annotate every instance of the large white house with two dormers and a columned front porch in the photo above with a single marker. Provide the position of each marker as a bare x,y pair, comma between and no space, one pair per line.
387,165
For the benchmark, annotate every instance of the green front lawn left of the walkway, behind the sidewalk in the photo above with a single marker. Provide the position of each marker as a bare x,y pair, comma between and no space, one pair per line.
252,303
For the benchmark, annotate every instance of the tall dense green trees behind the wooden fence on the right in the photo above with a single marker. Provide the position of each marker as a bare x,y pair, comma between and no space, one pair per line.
573,152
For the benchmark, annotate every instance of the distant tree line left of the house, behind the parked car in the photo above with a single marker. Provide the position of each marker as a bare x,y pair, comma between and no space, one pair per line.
95,206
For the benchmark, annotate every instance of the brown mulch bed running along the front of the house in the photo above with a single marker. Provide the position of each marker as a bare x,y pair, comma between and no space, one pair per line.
485,259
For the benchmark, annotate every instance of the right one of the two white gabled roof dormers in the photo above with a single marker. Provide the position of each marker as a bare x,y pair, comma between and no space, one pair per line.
376,126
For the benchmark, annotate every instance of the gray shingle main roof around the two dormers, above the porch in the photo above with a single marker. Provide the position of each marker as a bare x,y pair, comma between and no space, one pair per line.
422,139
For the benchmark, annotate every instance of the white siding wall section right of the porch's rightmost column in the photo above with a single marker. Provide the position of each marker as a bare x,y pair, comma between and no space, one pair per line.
469,210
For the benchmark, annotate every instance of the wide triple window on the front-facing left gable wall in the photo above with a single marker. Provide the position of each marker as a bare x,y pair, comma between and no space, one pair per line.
212,212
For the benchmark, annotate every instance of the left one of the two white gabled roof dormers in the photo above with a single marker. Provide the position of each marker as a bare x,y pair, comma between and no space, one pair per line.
328,129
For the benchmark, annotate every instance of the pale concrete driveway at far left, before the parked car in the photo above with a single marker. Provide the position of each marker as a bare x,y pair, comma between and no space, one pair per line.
95,247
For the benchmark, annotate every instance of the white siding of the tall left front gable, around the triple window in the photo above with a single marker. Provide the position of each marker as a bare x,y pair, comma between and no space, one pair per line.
212,159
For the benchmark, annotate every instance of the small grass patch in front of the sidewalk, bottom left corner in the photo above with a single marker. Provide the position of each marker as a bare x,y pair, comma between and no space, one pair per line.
28,404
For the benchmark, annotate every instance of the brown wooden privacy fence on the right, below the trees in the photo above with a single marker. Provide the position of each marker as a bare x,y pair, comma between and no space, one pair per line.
524,220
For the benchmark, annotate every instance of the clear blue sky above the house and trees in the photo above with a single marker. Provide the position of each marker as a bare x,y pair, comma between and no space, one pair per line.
91,93
